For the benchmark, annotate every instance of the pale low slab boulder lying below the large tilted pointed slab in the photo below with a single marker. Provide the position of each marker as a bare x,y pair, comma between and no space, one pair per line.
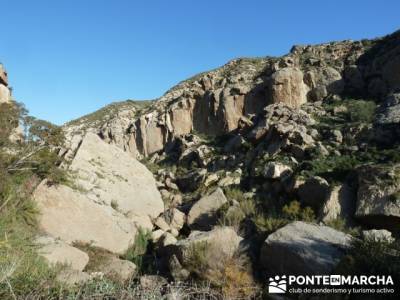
71,216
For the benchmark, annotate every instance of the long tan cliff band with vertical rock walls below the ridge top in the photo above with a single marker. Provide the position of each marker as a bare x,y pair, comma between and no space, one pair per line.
218,101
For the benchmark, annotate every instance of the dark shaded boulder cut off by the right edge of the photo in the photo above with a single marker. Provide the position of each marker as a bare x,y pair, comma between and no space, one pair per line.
378,196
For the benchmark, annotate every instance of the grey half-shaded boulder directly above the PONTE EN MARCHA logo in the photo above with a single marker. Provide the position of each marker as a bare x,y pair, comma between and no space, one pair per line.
301,248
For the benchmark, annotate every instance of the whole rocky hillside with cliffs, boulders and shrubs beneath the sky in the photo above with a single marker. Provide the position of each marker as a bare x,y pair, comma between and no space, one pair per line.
263,167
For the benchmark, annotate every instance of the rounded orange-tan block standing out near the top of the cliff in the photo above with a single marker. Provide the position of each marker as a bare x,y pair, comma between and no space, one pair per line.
287,87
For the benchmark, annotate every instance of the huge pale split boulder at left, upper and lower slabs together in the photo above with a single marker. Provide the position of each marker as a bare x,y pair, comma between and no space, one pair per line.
112,195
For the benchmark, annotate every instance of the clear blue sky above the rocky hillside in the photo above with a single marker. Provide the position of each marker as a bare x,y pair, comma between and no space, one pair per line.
66,58
